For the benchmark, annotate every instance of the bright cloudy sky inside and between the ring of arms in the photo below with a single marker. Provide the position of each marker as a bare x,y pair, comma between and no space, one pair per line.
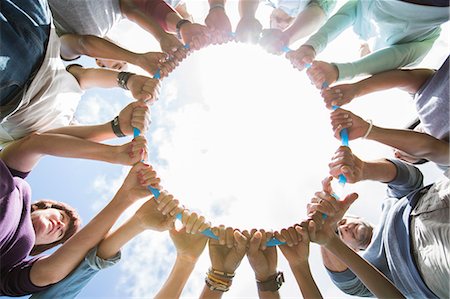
237,134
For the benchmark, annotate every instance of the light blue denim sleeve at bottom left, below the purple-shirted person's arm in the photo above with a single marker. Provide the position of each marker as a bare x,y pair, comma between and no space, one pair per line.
73,284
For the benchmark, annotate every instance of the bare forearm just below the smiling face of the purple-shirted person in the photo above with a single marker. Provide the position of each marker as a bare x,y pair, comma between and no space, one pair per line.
58,265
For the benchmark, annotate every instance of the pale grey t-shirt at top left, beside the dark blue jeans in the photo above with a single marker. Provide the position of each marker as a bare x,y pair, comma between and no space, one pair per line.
85,16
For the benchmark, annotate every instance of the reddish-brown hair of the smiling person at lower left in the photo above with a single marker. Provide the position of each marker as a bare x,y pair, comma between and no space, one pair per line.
74,222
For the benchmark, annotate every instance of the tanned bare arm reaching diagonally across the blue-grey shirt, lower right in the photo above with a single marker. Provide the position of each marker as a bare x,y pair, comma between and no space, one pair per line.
372,278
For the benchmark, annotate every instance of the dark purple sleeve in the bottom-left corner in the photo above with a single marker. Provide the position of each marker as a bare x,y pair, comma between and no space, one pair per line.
17,282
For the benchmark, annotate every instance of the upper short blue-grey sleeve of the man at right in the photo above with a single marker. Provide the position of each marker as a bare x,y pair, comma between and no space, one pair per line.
408,179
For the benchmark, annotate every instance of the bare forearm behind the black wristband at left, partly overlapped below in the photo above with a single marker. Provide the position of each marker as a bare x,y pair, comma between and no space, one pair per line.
96,133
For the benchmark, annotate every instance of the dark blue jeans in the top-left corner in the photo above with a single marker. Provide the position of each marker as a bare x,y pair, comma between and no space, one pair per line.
24,33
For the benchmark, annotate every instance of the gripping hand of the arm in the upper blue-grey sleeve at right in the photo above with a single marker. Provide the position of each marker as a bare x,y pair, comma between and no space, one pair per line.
346,163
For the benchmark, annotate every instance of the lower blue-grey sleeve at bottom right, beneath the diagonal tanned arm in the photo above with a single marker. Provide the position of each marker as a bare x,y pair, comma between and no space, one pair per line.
349,283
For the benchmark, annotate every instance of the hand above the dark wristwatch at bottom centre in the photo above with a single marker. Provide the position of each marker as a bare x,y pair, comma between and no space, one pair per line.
263,261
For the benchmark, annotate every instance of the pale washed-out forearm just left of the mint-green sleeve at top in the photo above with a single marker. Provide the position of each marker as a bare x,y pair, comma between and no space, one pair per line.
306,22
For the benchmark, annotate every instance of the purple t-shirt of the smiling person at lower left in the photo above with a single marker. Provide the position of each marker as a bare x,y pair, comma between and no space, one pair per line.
17,235
